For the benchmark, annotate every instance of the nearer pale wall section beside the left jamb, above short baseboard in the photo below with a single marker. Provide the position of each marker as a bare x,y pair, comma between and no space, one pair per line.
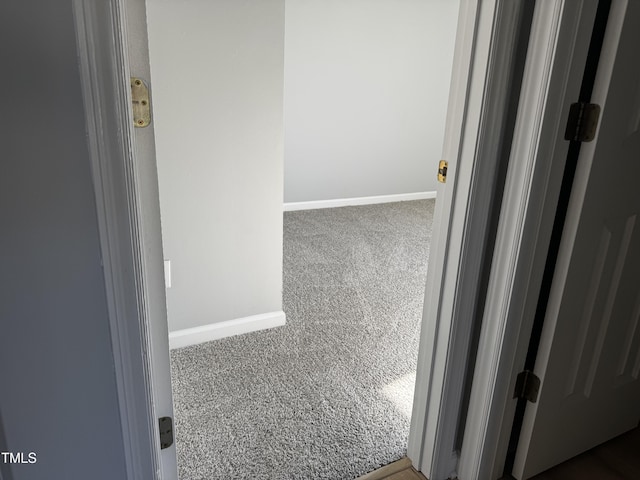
217,82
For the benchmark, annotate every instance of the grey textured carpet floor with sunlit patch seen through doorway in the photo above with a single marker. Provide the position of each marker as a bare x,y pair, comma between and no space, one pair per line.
328,396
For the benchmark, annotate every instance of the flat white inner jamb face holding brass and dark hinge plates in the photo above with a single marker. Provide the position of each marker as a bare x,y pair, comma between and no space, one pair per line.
145,160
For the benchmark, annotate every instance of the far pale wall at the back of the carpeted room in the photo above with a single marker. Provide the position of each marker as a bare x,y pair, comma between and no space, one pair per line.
366,90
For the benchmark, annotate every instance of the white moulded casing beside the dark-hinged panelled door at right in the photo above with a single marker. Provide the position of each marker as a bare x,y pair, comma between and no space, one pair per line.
555,62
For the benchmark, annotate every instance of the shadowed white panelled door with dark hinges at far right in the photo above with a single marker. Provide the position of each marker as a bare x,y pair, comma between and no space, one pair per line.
589,357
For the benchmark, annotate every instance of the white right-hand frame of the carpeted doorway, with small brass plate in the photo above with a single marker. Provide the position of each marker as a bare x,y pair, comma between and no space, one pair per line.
479,103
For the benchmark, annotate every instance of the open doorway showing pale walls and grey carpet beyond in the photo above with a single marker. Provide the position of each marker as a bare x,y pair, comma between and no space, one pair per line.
365,100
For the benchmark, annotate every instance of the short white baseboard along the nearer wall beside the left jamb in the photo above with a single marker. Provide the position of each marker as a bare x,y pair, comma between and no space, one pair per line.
229,328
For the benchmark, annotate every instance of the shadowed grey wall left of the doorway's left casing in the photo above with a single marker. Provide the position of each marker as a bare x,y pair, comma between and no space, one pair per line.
58,390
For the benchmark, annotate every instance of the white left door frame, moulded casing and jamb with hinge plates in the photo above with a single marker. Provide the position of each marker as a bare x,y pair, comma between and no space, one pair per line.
112,47
